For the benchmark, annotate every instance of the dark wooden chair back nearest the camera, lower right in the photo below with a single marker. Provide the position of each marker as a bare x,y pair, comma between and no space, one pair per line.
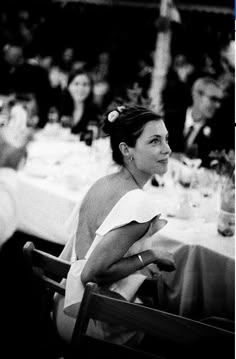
171,334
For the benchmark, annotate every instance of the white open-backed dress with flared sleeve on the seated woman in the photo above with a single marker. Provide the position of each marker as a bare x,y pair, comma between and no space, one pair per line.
136,205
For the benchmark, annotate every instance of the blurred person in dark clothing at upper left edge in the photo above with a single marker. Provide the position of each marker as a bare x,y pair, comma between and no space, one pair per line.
25,79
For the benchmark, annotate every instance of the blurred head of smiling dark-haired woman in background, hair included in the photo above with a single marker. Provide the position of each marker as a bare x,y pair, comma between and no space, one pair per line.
80,86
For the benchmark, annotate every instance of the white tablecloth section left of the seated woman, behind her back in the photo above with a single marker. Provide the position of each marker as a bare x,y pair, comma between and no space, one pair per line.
57,174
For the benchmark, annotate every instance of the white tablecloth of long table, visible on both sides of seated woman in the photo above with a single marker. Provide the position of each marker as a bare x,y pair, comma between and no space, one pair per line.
56,177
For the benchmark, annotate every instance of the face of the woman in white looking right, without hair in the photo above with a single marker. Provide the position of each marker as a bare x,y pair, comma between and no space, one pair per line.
152,151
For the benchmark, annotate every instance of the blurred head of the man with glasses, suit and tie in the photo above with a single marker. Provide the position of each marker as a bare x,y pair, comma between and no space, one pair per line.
207,96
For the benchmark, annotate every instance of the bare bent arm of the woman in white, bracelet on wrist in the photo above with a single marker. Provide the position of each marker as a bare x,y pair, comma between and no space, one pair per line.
106,263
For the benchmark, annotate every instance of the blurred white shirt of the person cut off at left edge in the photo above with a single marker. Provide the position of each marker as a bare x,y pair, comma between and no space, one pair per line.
9,205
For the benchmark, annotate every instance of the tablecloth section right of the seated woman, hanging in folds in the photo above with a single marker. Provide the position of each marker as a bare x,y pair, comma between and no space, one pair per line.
203,283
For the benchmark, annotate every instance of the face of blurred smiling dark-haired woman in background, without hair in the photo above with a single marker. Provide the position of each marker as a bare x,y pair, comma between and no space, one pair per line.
80,88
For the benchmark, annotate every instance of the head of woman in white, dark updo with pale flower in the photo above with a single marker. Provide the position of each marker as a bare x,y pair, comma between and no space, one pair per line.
139,141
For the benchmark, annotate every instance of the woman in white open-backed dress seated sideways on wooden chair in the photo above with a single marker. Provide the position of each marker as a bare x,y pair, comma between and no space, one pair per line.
117,220
